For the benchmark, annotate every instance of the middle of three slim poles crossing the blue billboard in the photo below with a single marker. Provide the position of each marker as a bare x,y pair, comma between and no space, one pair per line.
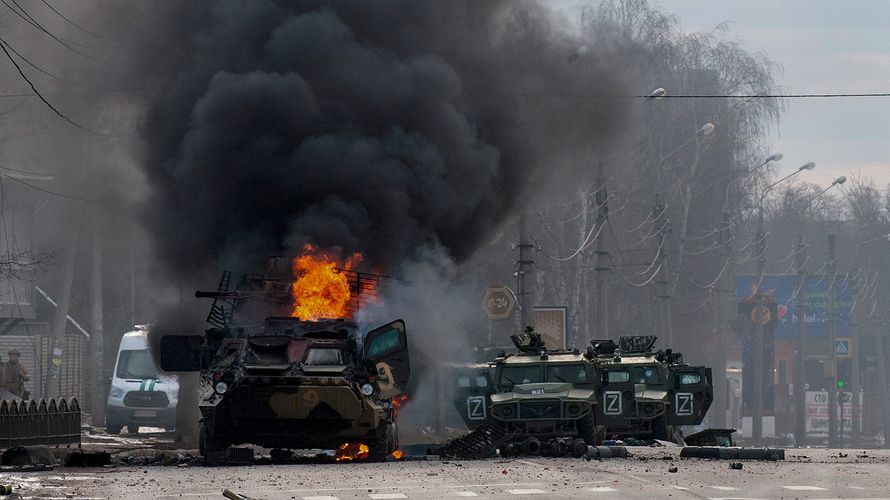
800,372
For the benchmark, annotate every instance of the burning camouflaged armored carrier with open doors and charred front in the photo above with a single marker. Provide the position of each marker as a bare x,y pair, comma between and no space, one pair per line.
286,382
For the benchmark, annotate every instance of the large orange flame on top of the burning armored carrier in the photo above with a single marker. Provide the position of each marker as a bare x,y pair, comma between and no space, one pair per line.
319,289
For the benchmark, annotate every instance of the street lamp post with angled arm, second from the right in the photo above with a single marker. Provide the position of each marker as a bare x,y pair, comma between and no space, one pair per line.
758,316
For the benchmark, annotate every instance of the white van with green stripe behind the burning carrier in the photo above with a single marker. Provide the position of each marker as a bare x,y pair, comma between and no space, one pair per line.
139,396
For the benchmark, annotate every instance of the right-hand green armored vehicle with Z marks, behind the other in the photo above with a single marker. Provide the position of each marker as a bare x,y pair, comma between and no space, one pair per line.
648,394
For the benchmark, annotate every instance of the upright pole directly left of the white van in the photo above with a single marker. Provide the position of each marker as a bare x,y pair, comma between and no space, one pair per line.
96,339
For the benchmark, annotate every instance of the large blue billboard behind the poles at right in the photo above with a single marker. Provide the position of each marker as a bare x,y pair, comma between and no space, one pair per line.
782,290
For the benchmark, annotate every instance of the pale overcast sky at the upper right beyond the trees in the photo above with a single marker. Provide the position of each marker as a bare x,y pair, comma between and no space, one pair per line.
824,47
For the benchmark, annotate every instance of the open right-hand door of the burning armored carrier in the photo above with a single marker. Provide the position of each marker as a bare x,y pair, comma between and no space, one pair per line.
386,348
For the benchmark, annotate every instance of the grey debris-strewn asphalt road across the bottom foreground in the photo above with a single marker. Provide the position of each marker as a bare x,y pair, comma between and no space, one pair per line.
804,474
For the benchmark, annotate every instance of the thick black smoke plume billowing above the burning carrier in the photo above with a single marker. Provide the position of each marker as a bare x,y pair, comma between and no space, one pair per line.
370,126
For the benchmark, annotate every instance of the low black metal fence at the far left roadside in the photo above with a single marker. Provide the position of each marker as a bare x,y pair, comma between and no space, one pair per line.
31,422
